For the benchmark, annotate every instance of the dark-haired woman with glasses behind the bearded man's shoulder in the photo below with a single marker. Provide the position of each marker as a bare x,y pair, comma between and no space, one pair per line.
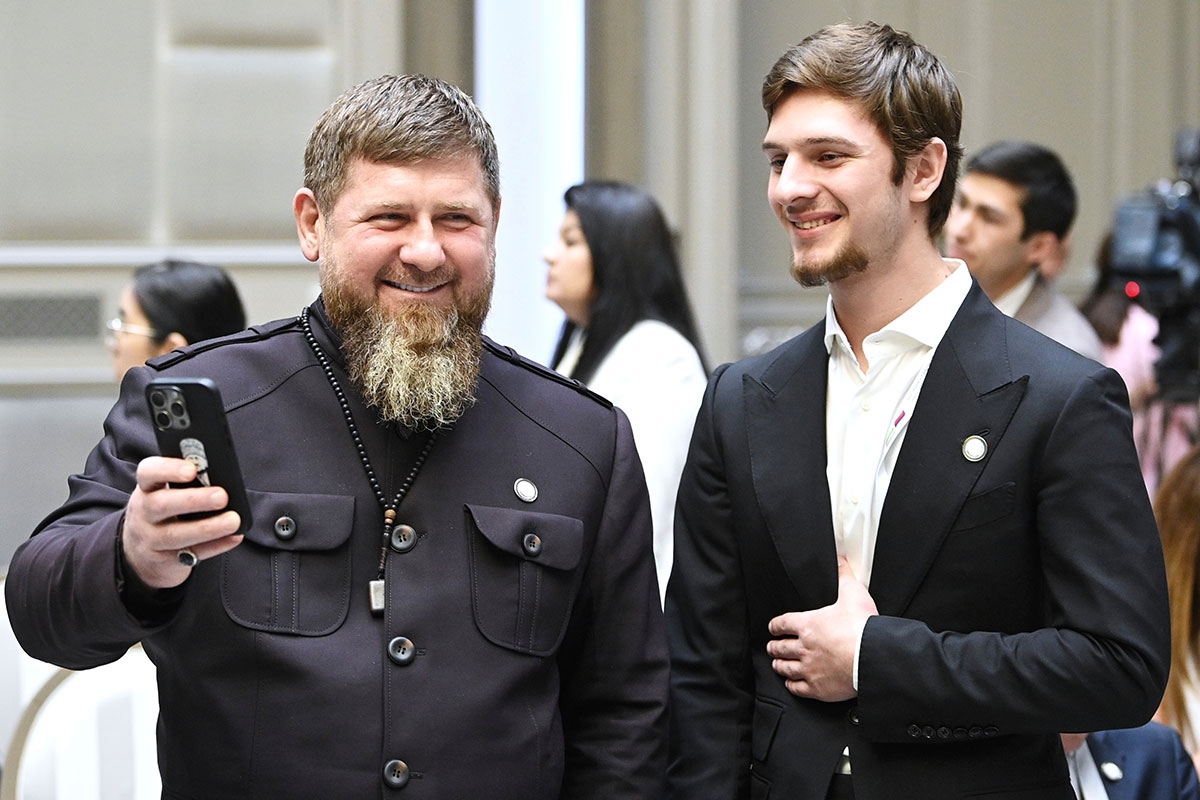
169,305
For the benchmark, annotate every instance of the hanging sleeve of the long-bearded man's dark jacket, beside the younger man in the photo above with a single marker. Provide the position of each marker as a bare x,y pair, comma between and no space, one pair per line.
615,665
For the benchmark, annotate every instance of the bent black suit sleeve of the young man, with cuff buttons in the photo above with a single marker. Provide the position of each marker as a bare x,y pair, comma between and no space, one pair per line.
1097,658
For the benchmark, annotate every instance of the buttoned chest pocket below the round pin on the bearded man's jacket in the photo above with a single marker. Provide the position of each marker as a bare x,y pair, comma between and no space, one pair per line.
524,576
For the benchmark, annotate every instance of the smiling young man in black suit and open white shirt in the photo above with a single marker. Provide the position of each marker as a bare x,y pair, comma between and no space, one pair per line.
913,544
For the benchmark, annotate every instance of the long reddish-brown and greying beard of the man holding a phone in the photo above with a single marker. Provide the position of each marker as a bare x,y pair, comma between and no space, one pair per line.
418,368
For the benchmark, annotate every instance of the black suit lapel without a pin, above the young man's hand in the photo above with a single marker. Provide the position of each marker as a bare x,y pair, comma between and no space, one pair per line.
787,437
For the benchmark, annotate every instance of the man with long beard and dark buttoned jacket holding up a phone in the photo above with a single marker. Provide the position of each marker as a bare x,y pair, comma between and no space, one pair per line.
448,590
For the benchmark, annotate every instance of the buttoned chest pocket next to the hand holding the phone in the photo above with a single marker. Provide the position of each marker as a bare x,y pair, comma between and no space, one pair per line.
292,574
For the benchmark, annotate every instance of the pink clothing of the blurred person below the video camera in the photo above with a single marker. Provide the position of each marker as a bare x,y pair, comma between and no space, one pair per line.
1160,447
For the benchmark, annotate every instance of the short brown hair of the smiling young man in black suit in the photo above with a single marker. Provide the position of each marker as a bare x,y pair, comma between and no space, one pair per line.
904,89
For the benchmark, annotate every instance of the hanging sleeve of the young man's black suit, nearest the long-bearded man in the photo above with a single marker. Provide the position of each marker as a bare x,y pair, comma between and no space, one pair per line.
711,673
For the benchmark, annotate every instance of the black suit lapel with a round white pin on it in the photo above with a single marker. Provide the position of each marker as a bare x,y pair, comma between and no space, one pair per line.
969,392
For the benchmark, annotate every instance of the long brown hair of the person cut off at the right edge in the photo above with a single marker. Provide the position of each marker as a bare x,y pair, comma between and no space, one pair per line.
1178,512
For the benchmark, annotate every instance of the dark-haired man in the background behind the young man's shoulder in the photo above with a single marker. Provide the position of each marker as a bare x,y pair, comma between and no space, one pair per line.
1012,215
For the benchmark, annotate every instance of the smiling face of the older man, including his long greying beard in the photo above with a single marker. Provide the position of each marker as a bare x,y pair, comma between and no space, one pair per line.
409,264
